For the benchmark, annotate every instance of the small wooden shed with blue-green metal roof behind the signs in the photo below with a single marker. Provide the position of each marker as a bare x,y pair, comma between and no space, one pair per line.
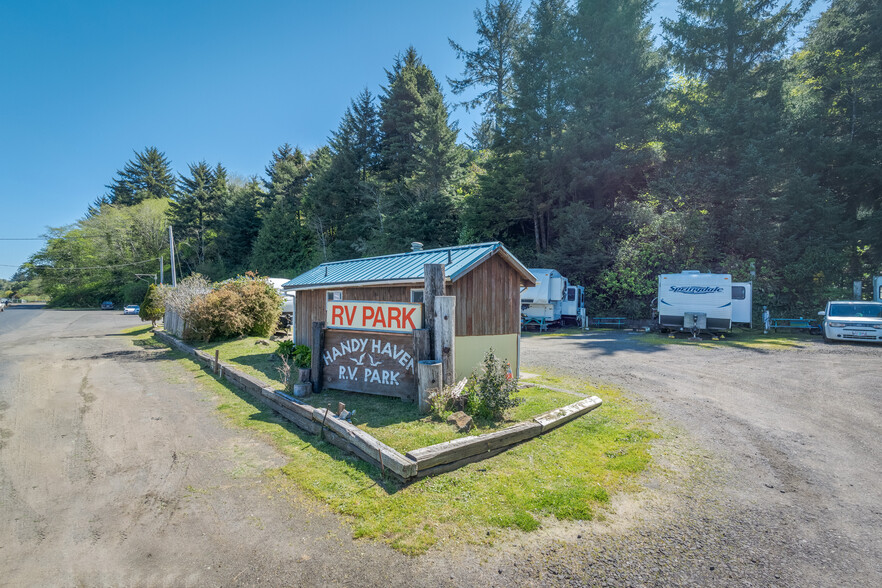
485,278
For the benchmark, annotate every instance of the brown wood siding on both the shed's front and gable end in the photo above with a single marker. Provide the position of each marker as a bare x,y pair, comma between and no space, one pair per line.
488,301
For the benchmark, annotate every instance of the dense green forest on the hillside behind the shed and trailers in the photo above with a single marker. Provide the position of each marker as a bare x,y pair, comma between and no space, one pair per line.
724,144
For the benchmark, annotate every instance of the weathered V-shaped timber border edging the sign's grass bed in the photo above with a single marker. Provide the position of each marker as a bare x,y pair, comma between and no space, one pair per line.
426,461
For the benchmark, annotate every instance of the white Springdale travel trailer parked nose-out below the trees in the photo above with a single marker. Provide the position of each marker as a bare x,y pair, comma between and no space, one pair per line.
695,302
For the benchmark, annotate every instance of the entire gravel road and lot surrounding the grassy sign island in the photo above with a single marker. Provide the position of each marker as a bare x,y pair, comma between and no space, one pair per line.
115,469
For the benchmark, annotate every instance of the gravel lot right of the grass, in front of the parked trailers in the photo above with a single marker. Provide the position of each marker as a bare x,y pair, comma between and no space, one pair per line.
787,445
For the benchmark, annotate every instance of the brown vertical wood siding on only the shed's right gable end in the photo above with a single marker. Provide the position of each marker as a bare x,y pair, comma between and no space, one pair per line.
488,300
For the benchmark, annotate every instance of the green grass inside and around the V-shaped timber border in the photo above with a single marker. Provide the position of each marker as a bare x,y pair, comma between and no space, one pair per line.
567,474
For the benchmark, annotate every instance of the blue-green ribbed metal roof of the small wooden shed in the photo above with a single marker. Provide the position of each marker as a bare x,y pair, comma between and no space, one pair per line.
404,267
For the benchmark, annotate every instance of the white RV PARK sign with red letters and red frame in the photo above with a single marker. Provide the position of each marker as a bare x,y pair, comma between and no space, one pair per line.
386,317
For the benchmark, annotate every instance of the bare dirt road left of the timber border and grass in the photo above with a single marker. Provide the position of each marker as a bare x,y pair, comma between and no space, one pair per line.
116,470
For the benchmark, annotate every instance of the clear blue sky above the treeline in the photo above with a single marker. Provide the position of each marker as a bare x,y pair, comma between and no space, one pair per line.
85,83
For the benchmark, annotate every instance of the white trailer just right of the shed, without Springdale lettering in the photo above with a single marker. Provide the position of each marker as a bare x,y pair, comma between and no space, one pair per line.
553,300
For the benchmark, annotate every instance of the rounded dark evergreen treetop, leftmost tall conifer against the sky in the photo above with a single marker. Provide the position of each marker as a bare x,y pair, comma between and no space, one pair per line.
148,175
